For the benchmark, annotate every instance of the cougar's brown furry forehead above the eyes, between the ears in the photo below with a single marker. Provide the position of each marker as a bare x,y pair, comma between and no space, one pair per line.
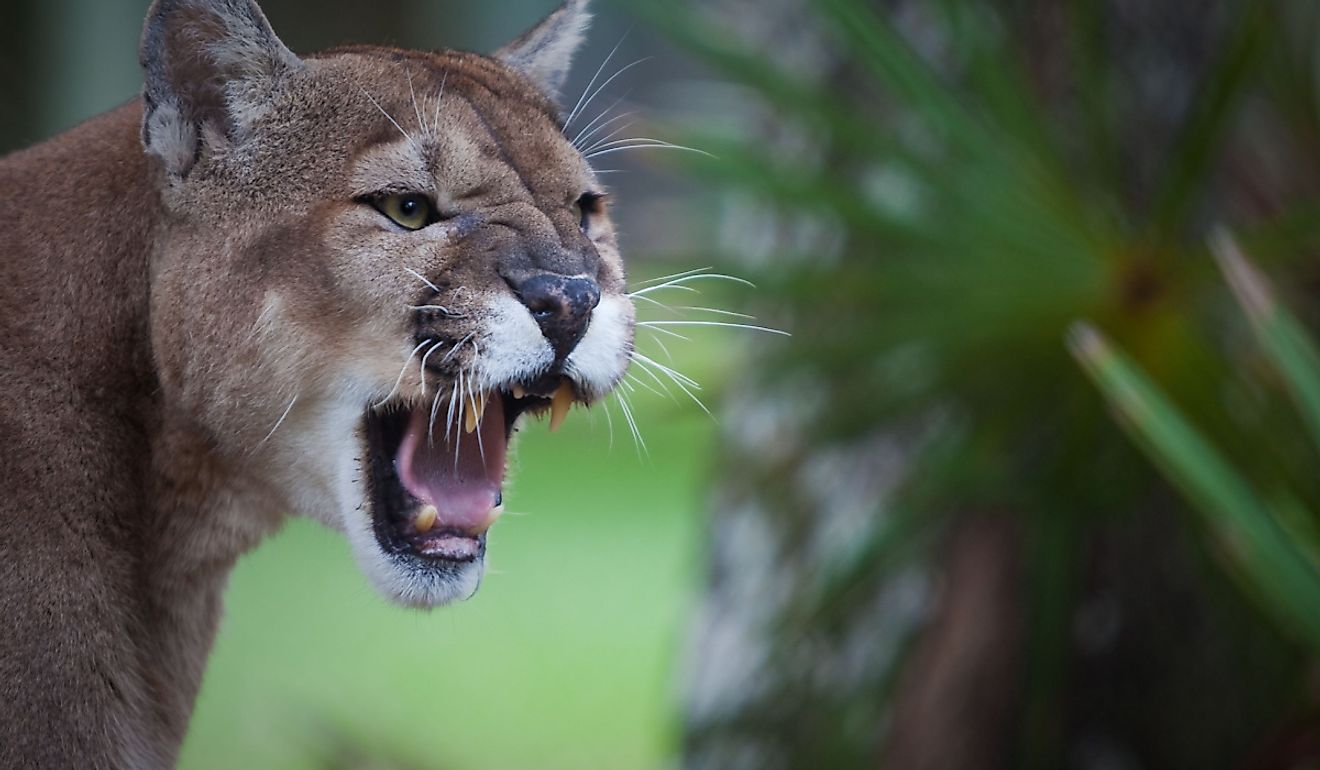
461,123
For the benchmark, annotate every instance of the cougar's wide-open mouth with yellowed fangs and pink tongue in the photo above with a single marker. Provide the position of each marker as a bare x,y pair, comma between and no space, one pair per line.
436,472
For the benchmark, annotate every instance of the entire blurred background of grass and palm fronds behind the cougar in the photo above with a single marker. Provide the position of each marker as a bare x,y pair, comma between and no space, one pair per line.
1033,484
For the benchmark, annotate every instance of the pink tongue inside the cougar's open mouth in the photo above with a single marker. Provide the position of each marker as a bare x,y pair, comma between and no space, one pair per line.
461,475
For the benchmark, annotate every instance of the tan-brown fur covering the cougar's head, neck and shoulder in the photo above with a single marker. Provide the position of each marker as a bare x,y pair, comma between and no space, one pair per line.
191,336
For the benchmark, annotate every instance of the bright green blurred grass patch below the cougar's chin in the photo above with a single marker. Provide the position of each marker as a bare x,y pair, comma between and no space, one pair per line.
566,658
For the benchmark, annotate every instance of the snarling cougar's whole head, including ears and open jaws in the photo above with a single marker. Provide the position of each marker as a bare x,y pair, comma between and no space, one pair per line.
397,258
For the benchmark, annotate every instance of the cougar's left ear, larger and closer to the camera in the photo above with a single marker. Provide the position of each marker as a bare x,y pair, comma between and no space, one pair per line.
209,65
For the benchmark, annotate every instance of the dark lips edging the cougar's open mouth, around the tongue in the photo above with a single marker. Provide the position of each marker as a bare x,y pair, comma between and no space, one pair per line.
391,505
